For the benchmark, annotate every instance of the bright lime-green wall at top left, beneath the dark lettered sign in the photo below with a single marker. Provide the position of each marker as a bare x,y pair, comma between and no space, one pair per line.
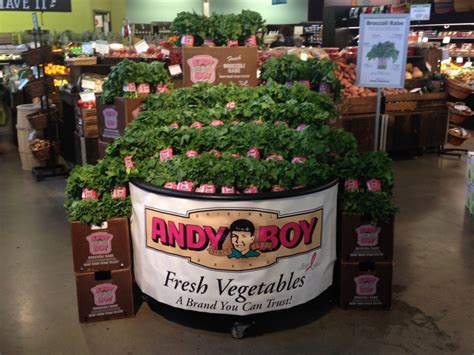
79,20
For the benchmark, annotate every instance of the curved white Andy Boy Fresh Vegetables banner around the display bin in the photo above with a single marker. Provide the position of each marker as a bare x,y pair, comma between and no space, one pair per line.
233,256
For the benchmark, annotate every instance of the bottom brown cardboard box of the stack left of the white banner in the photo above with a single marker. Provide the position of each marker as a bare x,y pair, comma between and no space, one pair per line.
105,295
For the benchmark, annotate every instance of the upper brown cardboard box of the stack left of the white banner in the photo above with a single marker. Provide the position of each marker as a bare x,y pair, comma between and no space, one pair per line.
97,249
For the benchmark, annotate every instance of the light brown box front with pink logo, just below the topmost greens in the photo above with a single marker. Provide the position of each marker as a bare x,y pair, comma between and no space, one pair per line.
217,65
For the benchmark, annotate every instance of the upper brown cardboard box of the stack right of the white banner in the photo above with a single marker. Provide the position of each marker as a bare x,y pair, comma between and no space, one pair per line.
358,240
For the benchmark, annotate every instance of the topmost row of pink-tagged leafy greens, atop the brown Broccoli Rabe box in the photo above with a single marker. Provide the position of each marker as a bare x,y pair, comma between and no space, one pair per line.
218,29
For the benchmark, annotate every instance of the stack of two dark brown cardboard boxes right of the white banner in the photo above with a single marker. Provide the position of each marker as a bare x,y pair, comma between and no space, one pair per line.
365,264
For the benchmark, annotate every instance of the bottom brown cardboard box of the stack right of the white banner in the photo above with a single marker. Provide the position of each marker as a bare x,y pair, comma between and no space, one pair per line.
366,285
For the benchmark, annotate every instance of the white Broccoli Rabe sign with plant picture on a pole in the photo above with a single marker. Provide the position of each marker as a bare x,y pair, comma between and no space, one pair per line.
383,46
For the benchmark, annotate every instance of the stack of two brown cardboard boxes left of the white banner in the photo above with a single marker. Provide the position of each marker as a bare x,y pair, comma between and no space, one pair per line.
103,270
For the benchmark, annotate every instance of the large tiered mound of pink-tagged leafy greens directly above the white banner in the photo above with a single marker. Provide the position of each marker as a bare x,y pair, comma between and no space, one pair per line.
228,140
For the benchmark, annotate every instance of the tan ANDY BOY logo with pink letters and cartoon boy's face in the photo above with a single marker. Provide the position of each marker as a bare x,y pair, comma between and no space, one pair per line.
234,239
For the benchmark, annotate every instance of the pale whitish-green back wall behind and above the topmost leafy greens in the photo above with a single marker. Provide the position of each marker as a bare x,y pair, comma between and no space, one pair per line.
145,11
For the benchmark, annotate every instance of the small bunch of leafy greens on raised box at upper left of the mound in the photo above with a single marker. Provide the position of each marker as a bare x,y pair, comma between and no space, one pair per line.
131,79
